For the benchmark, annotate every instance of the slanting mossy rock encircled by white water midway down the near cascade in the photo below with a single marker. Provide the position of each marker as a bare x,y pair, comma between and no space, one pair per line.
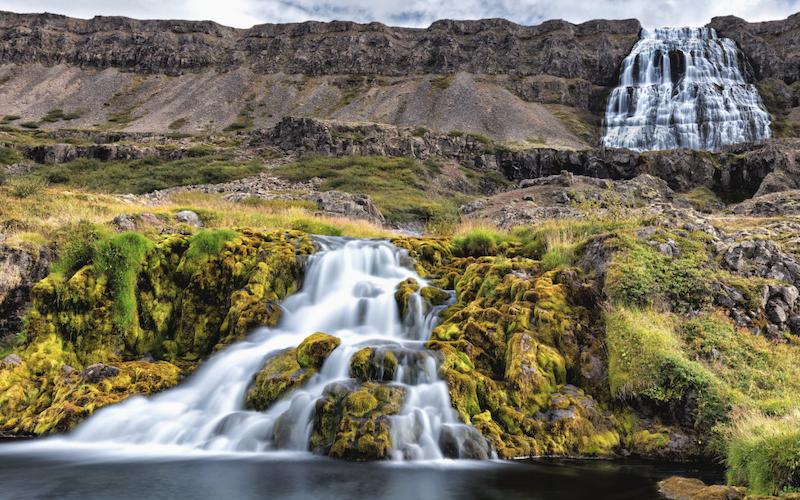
288,370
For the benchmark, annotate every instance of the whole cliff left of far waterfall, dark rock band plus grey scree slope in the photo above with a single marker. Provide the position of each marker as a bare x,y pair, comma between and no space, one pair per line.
547,82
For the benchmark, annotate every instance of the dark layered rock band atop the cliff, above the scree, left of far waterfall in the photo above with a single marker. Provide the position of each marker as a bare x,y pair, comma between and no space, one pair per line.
591,51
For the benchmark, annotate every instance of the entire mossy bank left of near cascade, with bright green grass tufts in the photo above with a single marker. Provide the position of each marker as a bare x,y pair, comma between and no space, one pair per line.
178,297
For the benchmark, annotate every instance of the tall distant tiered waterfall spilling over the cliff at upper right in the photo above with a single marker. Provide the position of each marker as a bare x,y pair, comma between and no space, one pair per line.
684,87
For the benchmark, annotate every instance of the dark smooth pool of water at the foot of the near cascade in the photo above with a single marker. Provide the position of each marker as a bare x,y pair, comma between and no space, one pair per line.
38,473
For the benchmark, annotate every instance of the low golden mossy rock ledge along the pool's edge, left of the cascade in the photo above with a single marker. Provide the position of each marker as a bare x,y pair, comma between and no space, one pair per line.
58,401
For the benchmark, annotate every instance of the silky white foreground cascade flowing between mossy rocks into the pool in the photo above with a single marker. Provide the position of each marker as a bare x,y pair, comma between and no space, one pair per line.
348,293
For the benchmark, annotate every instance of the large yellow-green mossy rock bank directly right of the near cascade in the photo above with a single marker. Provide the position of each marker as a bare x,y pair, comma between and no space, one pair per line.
513,344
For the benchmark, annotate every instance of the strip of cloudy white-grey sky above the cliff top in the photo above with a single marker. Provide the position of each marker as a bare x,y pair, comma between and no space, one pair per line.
416,13
